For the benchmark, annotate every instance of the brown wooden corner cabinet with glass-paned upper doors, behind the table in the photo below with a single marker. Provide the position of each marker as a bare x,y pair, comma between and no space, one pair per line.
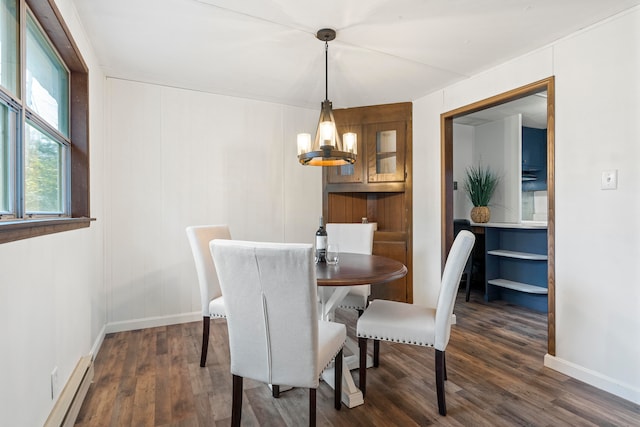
377,186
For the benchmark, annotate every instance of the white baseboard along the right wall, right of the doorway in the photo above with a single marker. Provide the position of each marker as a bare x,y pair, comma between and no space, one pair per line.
596,379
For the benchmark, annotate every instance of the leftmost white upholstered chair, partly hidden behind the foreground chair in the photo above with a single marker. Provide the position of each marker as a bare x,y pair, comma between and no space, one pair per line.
210,293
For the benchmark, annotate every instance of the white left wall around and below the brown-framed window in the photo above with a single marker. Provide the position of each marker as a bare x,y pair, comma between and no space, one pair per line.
52,289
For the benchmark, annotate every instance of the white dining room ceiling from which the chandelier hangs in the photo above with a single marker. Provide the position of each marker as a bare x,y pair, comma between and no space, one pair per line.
385,50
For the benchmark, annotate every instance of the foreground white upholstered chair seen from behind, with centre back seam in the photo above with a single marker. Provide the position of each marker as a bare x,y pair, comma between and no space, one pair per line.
275,336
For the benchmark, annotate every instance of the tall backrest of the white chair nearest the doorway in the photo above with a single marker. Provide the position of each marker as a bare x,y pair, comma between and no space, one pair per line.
460,251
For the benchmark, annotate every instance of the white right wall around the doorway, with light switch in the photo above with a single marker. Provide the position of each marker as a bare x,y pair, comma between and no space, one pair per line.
597,232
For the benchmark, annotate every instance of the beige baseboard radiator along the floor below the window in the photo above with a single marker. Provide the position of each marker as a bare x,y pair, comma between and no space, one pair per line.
67,407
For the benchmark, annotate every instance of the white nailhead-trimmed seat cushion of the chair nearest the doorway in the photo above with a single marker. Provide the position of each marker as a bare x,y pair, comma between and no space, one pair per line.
398,322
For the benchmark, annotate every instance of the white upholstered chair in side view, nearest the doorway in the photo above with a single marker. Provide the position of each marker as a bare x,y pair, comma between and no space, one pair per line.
414,324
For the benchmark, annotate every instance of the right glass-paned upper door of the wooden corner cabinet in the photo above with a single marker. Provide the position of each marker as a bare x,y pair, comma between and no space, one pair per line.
385,143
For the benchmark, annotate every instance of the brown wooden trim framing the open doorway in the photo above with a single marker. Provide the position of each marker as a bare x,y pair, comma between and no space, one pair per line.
446,168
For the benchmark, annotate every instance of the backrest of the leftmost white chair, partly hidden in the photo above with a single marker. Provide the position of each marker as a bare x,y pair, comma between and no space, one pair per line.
199,238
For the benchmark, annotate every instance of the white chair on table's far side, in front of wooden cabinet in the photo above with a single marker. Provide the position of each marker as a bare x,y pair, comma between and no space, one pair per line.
355,238
